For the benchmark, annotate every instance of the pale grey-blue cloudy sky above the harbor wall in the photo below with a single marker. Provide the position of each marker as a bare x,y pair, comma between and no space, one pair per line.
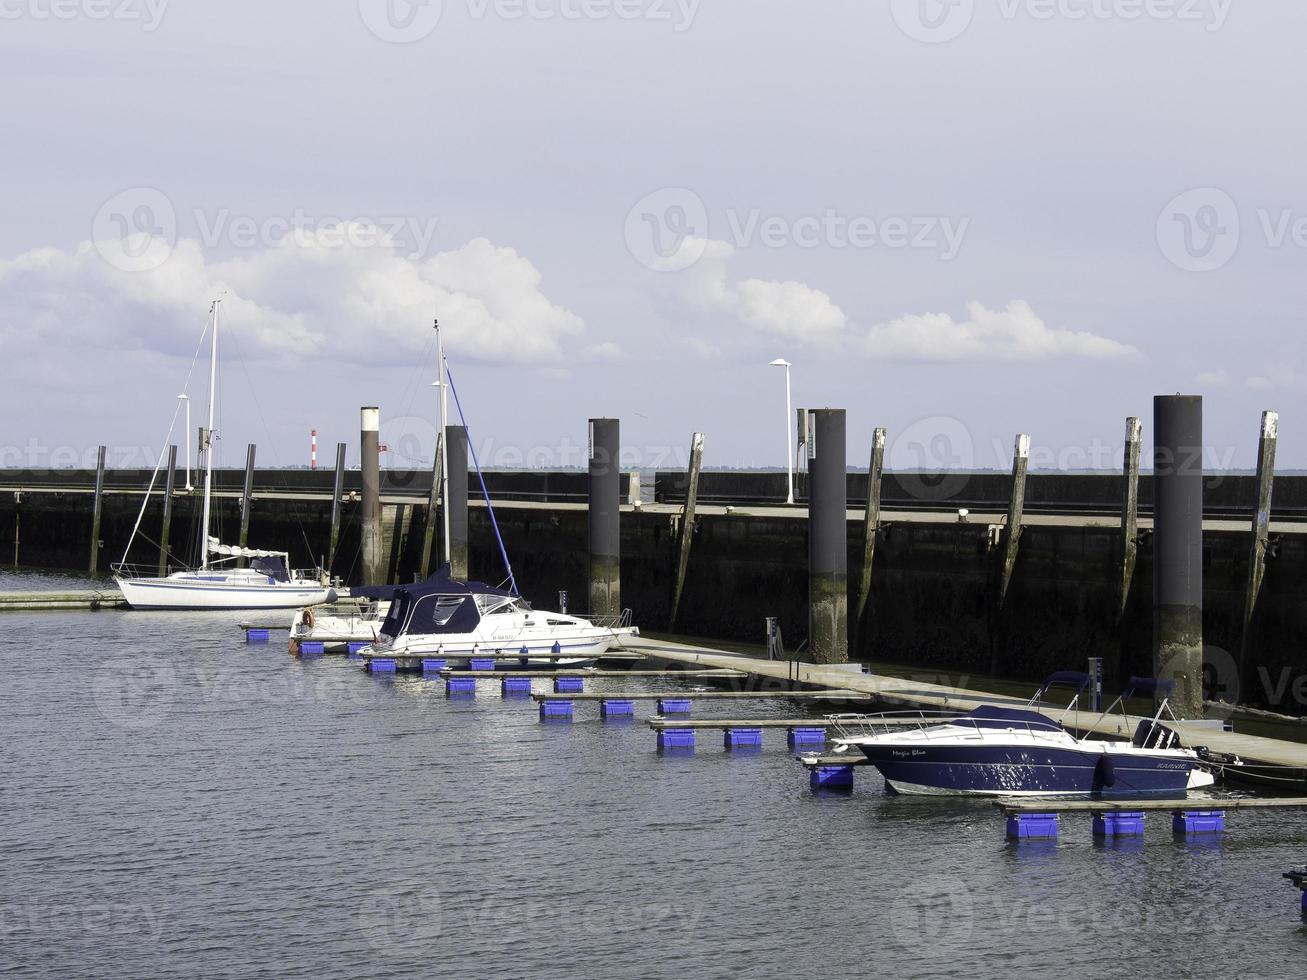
959,220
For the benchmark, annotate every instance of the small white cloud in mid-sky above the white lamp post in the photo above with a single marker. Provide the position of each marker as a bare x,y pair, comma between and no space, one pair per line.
786,310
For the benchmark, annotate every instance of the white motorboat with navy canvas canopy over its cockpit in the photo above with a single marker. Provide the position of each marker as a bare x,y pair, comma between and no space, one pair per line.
461,621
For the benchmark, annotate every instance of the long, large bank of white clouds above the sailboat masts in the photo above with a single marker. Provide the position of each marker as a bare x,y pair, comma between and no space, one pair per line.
313,295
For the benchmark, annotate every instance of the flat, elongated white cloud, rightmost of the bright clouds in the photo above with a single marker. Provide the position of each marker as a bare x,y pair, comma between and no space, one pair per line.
1015,334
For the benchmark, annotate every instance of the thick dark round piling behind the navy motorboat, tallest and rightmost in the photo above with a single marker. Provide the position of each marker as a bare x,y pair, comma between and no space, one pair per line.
1178,549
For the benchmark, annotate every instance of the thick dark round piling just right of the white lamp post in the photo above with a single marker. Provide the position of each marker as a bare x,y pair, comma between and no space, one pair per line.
828,538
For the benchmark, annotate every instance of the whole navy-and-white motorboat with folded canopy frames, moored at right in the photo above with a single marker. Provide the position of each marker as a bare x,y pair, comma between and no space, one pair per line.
1014,752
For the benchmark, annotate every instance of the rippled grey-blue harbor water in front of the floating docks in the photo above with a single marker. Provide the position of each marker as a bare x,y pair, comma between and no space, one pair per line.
177,804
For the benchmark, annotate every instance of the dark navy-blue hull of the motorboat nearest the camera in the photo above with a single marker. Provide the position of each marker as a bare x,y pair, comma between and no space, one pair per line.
1028,770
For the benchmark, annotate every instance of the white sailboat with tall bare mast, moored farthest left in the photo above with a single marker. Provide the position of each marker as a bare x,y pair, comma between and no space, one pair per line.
269,583
